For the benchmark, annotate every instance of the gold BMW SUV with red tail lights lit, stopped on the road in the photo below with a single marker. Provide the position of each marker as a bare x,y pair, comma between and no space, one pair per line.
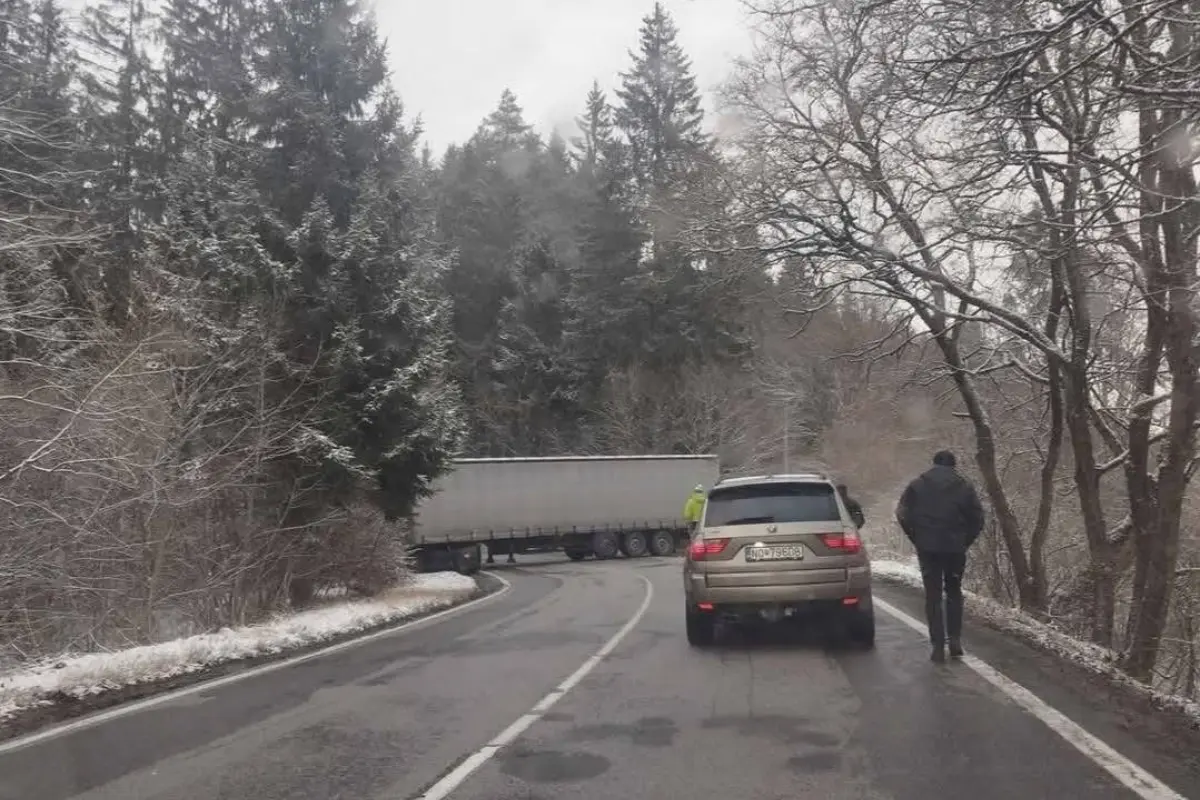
773,548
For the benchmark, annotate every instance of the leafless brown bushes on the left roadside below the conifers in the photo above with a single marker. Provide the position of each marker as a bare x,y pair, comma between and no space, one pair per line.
153,491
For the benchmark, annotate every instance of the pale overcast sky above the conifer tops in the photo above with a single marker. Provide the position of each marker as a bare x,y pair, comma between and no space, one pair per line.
452,59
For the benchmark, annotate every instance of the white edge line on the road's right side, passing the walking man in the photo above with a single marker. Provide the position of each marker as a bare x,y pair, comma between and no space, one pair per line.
1133,778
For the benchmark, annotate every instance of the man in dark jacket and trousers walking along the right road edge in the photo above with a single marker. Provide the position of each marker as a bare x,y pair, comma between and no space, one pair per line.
941,515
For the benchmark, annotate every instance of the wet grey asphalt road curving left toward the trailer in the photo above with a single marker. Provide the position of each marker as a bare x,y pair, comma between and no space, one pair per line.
753,719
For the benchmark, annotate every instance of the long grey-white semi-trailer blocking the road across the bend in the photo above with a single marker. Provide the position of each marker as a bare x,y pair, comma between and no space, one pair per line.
584,506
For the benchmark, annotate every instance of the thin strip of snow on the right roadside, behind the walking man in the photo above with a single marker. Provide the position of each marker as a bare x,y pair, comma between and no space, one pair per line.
1043,636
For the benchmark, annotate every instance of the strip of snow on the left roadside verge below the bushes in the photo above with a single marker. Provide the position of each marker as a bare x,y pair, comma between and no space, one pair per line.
100,672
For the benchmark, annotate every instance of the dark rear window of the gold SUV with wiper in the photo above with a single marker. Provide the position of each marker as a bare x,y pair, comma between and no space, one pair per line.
765,503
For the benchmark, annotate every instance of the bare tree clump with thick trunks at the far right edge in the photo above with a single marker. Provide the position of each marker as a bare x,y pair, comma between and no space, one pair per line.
1106,143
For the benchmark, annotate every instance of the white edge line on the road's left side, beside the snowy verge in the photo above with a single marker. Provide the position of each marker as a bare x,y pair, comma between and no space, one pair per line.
203,687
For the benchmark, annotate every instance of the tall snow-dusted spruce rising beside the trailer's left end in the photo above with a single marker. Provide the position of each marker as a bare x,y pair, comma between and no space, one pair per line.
363,303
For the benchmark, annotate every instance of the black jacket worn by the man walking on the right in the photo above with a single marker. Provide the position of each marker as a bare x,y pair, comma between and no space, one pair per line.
940,513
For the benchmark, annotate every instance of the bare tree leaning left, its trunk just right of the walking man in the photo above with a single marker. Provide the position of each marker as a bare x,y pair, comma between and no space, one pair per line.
841,175
